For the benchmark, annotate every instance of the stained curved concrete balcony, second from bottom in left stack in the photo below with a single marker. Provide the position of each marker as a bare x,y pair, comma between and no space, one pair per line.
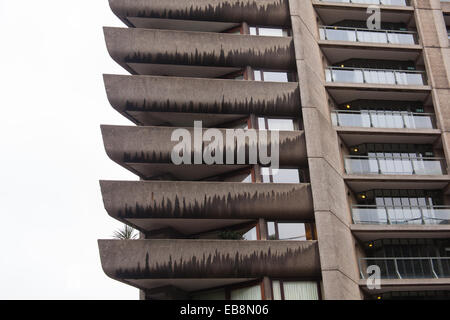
191,208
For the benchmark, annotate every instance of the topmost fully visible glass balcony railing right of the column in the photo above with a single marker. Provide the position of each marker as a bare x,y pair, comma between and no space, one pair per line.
368,35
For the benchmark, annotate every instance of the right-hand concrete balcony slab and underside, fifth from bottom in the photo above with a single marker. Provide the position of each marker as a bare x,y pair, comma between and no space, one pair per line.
346,92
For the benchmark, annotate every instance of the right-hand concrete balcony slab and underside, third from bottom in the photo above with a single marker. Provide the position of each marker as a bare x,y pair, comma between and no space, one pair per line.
362,183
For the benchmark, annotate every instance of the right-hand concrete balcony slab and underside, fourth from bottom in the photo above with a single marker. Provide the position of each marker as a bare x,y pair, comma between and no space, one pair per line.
356,136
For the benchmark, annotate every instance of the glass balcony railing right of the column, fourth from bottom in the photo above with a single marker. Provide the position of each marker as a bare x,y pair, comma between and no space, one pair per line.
383,119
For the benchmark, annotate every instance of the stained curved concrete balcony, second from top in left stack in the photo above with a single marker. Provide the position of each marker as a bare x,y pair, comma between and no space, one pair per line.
196,54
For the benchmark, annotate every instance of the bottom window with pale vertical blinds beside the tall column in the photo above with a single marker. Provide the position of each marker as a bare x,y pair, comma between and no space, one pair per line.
295,290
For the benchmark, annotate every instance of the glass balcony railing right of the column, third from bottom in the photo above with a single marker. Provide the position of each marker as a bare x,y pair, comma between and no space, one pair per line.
394,165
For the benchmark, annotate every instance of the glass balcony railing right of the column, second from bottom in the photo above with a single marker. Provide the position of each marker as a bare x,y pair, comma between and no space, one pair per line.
401,215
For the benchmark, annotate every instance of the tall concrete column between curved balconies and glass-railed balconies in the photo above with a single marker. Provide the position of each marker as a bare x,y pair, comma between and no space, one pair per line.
332,213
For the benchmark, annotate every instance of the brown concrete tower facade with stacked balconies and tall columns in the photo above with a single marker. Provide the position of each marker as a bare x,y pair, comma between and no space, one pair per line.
182,56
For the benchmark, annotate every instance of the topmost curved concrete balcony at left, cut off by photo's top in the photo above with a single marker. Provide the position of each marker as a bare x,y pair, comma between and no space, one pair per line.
262,12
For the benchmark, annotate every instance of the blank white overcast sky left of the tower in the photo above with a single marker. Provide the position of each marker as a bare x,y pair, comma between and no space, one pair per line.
52,56
